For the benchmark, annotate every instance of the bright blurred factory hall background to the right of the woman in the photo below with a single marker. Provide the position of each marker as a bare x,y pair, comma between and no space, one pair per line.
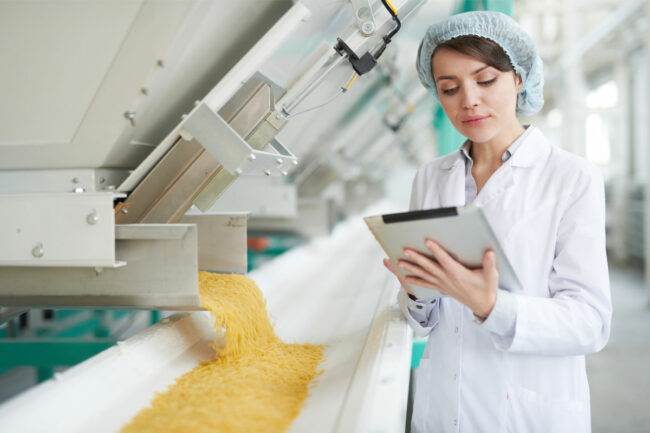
596,93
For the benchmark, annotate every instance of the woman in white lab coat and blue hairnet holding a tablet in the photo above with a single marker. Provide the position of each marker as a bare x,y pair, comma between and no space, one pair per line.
497,361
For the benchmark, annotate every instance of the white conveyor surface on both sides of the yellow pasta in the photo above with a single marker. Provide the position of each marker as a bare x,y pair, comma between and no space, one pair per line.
333,290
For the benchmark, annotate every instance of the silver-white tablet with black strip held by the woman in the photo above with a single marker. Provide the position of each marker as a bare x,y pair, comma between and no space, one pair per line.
463,231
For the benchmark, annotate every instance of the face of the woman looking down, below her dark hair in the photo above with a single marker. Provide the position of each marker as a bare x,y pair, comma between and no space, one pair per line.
479,99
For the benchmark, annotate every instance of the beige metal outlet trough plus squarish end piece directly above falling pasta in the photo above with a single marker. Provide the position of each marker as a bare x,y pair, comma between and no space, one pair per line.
160,268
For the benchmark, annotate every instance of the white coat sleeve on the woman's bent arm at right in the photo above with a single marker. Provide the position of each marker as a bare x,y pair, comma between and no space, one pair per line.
575,319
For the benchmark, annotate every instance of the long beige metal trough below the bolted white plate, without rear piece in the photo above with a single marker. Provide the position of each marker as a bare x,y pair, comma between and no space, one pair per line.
160,273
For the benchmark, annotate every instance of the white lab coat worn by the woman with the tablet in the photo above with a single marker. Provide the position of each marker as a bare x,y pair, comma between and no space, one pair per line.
547,208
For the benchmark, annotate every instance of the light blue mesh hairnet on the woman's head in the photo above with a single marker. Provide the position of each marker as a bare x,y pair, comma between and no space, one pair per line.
501,29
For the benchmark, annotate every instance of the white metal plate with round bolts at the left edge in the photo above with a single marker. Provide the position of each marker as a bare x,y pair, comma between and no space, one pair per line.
58,230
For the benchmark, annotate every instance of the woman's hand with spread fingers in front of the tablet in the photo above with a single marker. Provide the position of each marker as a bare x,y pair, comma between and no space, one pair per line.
476,288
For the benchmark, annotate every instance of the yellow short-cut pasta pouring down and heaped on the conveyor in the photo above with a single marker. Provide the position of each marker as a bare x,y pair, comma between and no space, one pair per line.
256,383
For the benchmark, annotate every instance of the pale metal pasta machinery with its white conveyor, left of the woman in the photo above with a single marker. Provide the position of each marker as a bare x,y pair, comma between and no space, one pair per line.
140,141
